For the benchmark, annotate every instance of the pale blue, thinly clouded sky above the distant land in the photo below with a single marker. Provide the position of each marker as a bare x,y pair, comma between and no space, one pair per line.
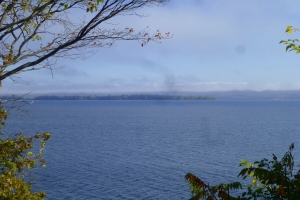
216,45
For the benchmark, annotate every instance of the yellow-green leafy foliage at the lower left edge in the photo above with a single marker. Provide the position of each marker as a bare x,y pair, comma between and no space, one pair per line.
16,159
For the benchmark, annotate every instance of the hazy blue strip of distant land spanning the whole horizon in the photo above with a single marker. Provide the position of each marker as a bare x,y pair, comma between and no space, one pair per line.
168,95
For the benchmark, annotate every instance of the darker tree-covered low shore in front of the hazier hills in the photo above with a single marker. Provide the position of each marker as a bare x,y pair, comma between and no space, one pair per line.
125,97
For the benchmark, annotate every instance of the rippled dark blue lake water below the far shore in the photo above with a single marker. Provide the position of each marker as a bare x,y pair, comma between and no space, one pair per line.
143,149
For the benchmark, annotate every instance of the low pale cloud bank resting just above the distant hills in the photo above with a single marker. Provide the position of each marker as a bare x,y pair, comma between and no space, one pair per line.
171,84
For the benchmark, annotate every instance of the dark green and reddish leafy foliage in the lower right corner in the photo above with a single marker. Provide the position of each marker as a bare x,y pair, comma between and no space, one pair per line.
271,179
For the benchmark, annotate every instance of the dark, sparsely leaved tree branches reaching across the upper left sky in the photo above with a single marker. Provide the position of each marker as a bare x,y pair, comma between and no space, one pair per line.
22,24
